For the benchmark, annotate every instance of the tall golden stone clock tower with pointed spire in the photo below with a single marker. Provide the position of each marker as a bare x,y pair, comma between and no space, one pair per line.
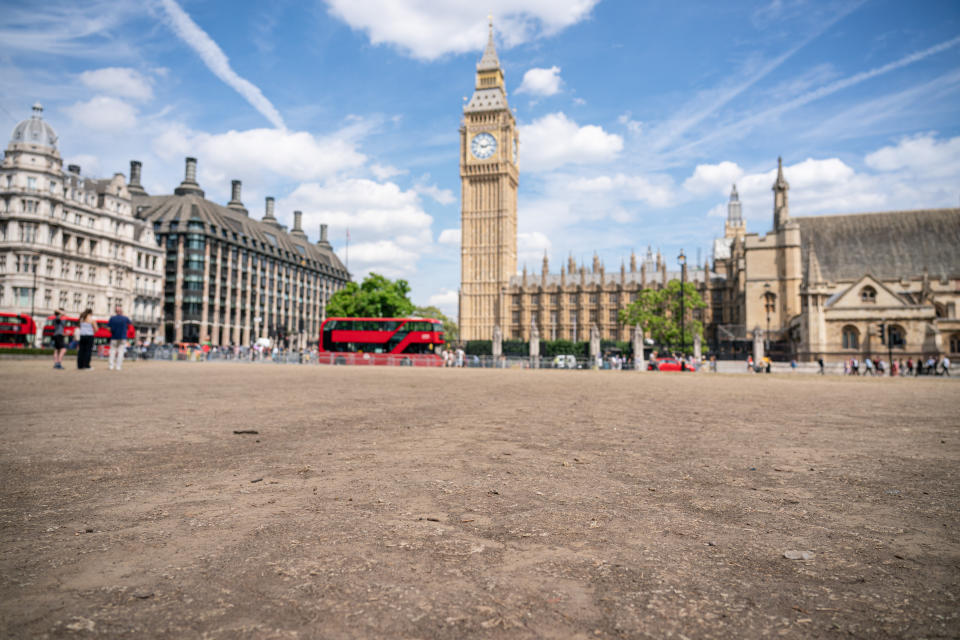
488,213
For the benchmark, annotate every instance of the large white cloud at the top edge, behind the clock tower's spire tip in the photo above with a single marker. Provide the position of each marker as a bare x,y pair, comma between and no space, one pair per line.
429,30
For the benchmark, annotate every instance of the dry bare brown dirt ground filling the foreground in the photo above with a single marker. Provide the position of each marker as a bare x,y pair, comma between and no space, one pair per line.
410,503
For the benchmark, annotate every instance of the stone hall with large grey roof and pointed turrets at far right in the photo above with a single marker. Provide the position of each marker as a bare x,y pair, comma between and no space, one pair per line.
821,286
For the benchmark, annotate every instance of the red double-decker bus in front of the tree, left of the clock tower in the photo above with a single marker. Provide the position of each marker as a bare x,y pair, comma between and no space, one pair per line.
402,341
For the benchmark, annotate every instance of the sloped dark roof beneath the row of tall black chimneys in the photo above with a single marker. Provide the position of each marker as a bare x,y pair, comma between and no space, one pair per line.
164,209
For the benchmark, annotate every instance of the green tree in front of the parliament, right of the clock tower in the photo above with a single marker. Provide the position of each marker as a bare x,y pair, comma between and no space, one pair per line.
658,314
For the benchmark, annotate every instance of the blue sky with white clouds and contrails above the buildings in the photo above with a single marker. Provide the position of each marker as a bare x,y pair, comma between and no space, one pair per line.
635,117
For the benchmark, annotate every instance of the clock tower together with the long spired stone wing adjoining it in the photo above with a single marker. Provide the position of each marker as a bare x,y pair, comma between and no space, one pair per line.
564,305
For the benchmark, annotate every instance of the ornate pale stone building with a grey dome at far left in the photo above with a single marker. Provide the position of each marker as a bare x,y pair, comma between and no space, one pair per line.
70,241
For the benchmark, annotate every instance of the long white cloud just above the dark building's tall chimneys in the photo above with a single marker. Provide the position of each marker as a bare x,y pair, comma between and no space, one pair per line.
295,155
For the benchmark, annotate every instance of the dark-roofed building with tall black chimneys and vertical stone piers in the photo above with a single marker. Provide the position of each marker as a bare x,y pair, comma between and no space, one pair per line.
230,279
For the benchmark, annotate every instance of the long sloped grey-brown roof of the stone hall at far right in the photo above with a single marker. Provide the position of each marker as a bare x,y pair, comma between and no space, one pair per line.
886,245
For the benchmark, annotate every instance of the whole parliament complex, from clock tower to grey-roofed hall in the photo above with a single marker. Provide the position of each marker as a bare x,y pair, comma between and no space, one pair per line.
825,286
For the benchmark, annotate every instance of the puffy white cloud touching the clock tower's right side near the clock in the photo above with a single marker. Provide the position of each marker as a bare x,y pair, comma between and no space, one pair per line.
555,140
